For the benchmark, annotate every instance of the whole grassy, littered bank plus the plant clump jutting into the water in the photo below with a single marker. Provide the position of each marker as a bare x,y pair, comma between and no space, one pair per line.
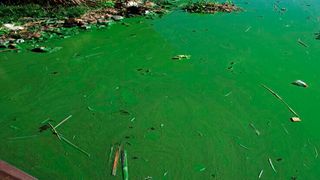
39,21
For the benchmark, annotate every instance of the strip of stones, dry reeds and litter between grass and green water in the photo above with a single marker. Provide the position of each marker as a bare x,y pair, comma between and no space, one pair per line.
41,29
